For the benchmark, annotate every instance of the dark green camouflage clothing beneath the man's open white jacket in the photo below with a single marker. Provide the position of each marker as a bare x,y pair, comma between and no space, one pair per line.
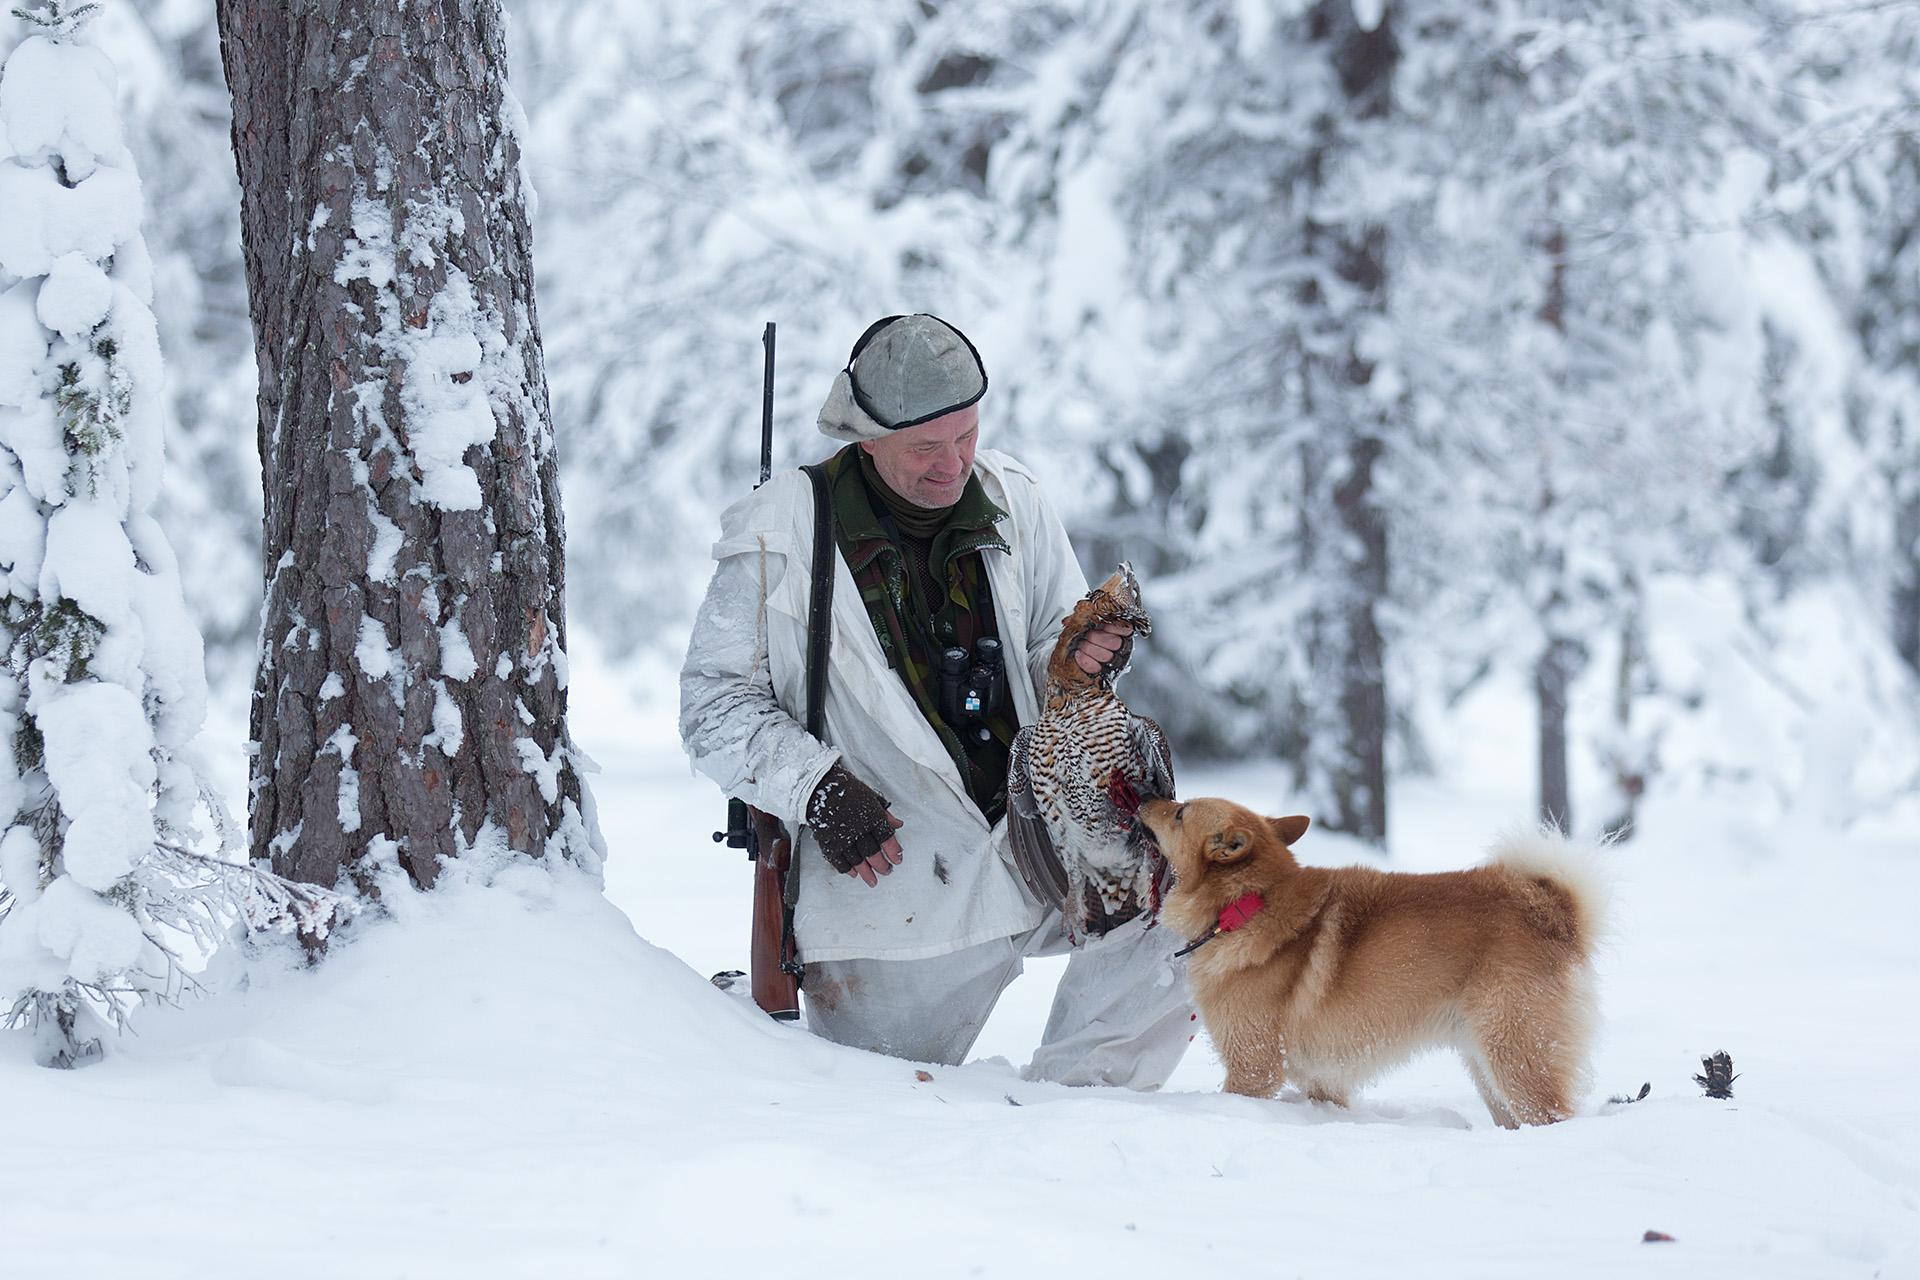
913,630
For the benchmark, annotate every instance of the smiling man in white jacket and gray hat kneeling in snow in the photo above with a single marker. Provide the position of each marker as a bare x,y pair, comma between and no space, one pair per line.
911,918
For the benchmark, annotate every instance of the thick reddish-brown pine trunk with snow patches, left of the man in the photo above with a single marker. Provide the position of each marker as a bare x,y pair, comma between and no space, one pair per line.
412,690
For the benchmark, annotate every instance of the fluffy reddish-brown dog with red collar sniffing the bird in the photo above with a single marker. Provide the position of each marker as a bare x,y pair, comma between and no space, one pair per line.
1328,978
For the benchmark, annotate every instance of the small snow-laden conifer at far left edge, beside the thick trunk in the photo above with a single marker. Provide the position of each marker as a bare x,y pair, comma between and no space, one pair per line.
105,682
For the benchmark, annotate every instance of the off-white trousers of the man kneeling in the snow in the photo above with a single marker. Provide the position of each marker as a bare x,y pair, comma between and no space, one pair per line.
1120,1016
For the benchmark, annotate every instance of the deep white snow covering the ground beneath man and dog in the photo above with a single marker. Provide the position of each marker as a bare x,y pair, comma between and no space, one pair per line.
535,1079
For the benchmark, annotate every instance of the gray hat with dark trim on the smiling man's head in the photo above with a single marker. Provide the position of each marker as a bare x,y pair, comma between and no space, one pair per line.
907,369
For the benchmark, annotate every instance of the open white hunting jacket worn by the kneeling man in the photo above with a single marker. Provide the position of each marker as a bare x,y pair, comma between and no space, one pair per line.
744,703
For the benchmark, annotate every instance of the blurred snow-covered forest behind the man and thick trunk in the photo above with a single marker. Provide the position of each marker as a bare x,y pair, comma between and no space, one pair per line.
1573,346
